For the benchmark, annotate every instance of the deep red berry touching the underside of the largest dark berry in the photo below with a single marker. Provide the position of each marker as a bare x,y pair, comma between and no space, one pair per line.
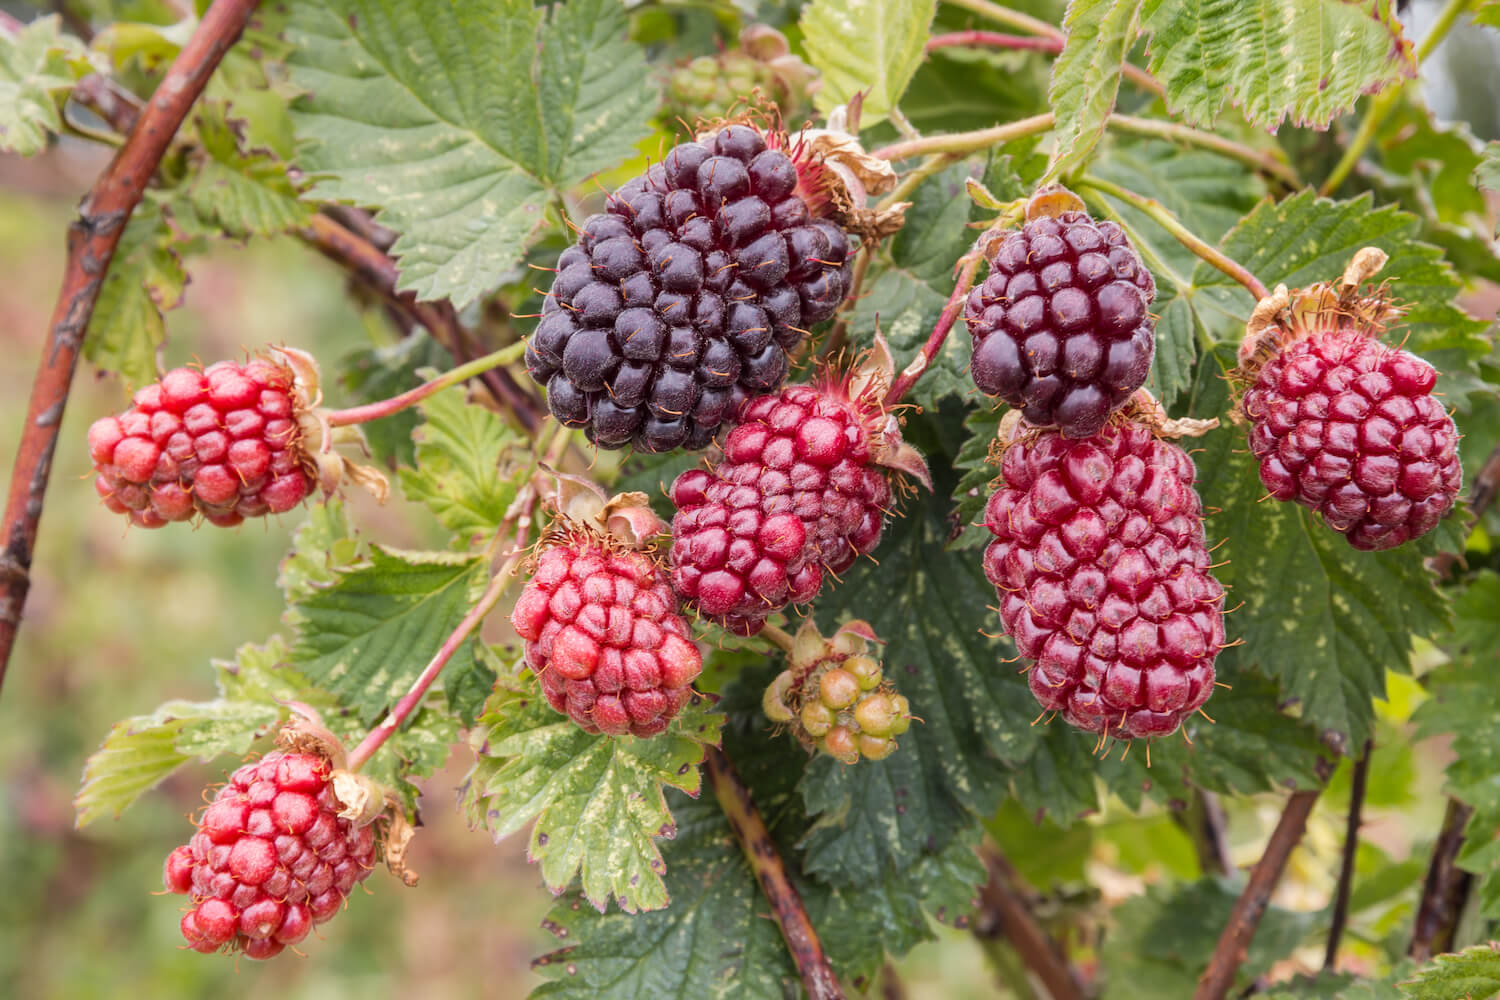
800,491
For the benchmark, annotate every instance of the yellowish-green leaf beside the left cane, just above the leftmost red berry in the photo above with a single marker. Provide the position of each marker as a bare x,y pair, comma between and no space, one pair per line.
146,278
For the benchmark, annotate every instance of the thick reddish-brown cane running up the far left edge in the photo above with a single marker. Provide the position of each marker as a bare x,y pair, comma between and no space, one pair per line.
92,241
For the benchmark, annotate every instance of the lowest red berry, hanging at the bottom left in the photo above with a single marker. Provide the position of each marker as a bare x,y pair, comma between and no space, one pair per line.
271,858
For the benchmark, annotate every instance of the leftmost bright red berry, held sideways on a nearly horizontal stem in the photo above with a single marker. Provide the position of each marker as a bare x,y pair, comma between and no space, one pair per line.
221,443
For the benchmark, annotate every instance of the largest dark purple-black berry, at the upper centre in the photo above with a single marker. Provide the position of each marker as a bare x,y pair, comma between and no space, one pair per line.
685,298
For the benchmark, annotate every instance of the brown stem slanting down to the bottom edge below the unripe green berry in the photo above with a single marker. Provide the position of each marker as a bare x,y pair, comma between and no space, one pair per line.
770,870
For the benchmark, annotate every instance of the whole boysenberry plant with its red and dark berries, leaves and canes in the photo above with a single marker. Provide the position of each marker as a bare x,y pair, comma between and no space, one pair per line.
884,464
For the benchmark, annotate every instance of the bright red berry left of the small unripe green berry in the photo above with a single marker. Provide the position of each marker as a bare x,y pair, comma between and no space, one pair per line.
604,635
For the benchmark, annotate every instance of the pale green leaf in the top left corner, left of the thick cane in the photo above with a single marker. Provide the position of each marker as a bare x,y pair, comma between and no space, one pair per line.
38,67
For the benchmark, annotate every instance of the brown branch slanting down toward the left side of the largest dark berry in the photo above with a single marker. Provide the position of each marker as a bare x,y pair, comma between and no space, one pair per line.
379,272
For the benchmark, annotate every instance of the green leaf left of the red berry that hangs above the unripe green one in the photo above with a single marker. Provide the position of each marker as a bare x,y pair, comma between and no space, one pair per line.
367,636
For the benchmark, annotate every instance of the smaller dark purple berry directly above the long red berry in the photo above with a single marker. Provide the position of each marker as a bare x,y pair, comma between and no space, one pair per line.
1061,326
